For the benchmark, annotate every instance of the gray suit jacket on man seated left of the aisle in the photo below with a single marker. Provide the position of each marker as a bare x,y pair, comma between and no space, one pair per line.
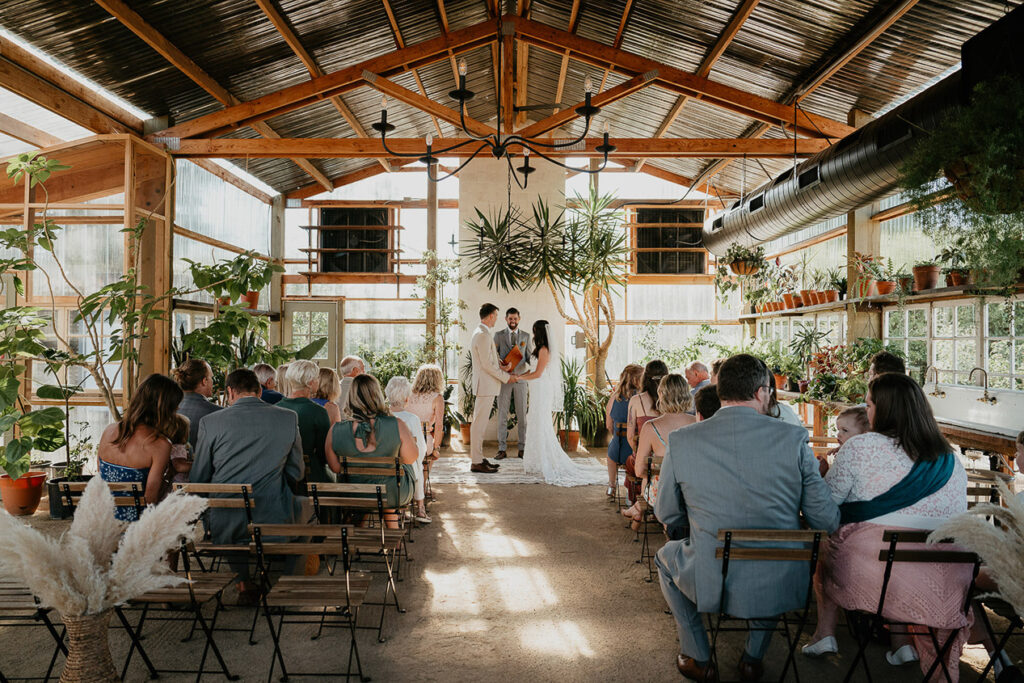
251,443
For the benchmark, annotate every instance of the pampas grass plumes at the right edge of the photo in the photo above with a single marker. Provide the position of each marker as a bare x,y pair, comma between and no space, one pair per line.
1001,548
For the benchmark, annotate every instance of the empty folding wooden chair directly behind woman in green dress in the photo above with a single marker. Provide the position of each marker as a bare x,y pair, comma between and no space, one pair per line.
356,498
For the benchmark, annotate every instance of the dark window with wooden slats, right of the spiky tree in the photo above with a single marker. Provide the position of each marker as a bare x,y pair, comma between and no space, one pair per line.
668,242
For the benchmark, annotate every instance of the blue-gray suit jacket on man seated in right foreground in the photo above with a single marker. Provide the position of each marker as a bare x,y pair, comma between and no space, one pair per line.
740,469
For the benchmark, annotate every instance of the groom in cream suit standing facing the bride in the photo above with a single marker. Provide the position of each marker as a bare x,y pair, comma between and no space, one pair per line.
489,375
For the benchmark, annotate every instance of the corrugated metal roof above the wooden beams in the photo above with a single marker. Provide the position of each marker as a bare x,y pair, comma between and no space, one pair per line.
782,45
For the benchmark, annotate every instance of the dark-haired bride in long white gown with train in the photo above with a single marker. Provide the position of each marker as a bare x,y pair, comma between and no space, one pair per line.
543,454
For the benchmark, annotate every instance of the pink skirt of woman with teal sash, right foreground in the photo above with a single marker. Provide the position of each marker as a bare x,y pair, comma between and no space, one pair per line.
922,594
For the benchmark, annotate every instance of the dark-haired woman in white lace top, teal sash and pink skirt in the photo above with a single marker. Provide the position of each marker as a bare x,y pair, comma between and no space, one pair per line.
902,476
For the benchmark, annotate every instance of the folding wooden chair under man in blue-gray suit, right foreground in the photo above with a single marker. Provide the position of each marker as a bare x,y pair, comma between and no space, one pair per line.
783,551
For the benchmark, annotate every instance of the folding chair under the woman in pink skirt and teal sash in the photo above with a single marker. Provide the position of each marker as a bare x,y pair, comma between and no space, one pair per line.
932,556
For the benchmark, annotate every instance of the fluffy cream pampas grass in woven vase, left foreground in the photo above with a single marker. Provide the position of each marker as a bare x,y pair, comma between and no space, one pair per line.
93,568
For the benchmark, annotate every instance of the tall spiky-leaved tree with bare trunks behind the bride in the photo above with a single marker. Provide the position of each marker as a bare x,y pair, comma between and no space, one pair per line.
579,255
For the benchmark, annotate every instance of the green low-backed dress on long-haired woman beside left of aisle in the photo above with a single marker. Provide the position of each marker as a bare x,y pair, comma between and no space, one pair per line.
389,445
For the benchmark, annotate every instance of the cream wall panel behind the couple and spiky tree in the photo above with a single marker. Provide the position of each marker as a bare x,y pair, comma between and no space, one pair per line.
484,186
